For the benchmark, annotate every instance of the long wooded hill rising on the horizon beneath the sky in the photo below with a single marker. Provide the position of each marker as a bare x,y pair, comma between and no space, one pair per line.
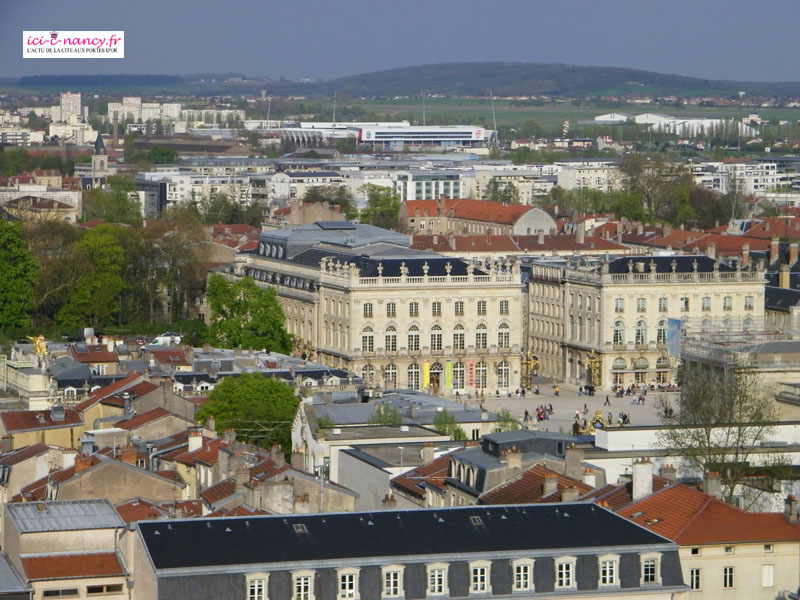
504,79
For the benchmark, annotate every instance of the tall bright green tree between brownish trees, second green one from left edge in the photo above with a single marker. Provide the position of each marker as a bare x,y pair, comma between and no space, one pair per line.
95,297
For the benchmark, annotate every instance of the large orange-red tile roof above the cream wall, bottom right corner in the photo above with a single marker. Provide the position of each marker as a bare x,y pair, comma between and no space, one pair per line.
690,517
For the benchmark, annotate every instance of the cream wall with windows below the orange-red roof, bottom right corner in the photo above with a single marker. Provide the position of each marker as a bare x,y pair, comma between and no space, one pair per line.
751,564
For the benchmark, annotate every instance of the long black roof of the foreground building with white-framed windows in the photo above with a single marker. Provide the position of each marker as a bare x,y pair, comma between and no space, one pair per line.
202,543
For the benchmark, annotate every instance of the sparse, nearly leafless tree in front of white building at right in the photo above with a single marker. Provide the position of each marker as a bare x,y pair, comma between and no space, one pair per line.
723,423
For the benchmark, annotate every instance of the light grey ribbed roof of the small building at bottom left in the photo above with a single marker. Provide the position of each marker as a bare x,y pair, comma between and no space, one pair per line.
62,515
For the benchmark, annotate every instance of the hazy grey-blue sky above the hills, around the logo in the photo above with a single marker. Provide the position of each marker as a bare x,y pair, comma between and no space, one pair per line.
737,40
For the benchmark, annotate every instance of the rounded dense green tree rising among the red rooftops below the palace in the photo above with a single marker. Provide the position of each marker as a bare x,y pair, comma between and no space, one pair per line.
260,409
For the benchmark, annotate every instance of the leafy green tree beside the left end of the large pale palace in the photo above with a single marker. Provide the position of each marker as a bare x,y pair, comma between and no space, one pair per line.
245,315
